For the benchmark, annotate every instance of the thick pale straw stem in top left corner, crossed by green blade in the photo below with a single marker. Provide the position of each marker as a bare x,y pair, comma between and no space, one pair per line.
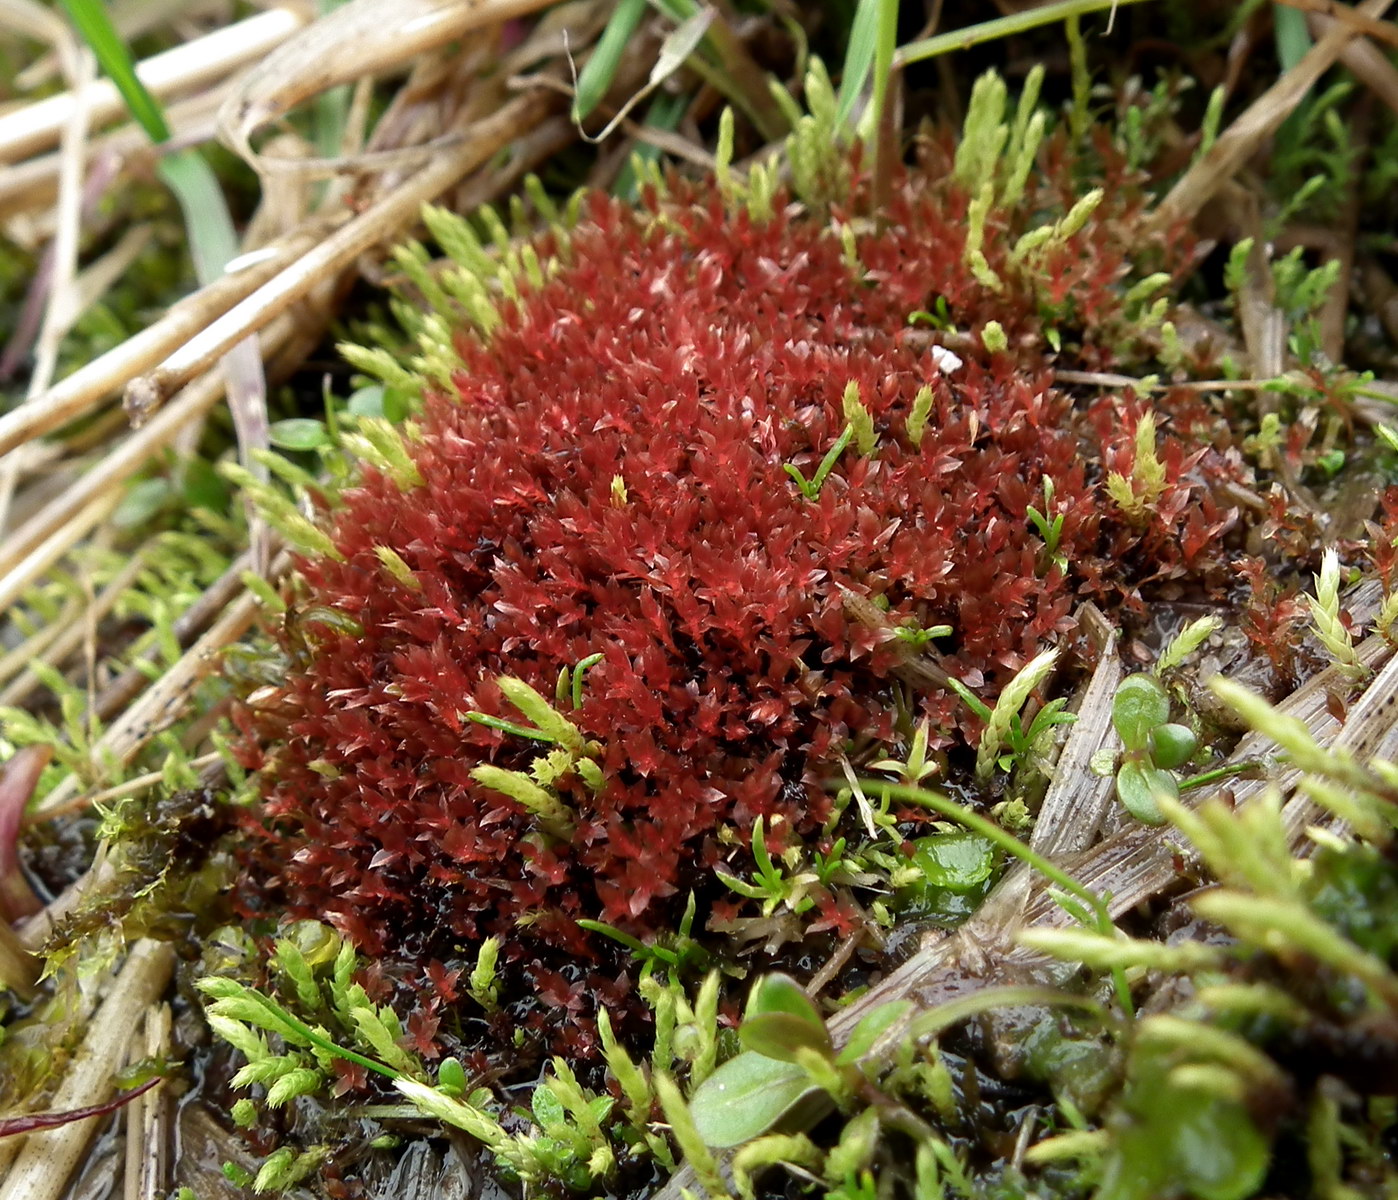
37,128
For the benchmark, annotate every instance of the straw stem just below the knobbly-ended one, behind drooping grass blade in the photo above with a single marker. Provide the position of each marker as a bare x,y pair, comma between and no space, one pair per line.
59,525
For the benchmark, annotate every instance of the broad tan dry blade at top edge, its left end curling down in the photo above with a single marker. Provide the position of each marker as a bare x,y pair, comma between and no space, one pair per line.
357,40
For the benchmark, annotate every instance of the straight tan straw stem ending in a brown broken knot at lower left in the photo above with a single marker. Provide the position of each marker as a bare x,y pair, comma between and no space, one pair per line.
382,222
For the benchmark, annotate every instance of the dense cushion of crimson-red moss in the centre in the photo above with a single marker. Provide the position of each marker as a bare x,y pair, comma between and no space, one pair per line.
709,475
